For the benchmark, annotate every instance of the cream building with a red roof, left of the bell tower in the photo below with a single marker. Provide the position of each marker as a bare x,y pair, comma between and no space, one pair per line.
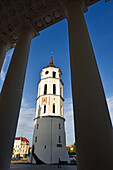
21,147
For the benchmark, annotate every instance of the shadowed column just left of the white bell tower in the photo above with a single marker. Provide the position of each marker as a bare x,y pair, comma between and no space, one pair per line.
11,96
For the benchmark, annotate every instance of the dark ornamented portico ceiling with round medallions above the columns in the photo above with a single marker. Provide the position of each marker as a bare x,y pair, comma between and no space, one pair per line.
38,13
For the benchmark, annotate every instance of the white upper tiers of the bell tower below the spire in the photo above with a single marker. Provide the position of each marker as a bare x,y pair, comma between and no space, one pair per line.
49,99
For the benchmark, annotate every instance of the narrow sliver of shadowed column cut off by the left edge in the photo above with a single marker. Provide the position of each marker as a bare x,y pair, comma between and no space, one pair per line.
3,50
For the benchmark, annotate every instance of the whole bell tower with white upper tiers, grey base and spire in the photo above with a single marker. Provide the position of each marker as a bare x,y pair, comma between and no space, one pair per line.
49,141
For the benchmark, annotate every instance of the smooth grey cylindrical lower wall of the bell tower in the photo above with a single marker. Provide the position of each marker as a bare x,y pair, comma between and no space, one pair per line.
48,148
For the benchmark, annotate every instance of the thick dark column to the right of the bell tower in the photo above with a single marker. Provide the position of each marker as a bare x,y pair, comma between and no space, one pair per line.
91,116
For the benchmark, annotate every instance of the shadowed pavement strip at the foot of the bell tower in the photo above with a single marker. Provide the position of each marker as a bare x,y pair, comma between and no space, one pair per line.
21,166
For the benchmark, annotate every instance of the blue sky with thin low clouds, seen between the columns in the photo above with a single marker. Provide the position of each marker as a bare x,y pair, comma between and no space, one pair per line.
99,19
